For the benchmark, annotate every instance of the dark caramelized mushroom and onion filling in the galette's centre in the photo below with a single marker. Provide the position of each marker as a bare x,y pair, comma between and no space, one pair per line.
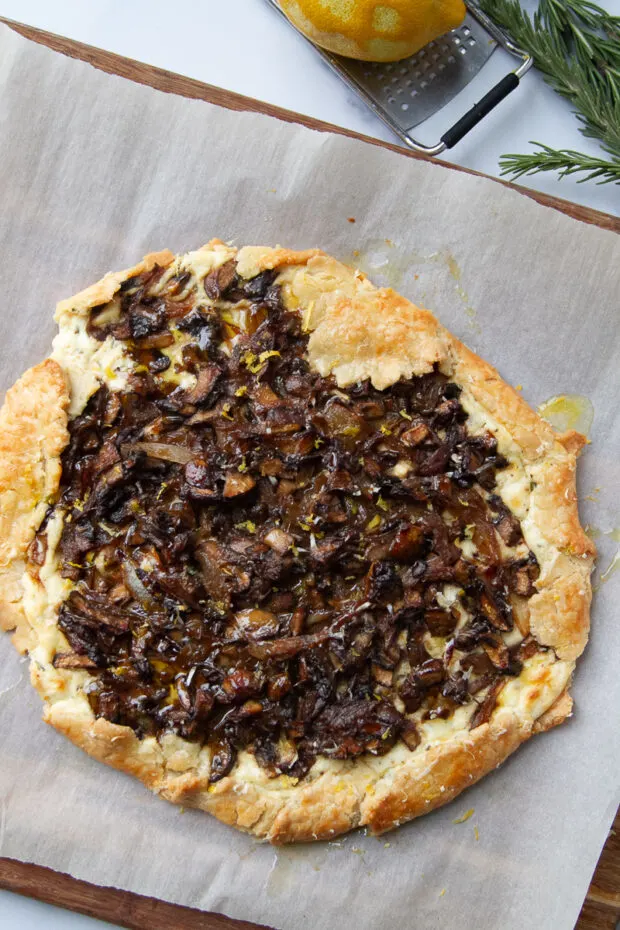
262,560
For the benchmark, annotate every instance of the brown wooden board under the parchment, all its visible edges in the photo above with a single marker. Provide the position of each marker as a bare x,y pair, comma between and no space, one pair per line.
601,910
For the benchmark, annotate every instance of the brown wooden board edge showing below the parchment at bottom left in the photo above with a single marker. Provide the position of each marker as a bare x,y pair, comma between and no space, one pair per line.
125,908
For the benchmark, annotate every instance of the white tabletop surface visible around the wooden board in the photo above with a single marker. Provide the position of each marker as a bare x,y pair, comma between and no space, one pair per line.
244,46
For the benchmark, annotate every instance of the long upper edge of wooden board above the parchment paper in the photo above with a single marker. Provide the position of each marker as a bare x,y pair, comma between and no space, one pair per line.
170,82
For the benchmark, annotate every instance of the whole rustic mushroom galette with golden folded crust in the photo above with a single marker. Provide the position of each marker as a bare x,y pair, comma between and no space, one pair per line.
281,546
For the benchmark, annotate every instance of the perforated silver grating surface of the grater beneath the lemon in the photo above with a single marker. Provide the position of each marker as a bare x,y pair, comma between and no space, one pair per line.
411,90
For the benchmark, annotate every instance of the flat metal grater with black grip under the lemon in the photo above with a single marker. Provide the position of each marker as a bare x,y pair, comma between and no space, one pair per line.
405,93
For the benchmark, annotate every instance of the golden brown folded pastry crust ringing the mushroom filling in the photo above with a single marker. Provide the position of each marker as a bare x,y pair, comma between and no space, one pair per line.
357,331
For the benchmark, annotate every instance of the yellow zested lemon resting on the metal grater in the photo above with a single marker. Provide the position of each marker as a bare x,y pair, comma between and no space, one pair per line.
374,31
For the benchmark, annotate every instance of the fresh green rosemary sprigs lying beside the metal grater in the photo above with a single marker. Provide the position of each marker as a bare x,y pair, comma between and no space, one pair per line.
576,46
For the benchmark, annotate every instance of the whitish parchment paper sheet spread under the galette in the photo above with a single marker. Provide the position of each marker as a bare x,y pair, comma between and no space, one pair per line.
96,171
